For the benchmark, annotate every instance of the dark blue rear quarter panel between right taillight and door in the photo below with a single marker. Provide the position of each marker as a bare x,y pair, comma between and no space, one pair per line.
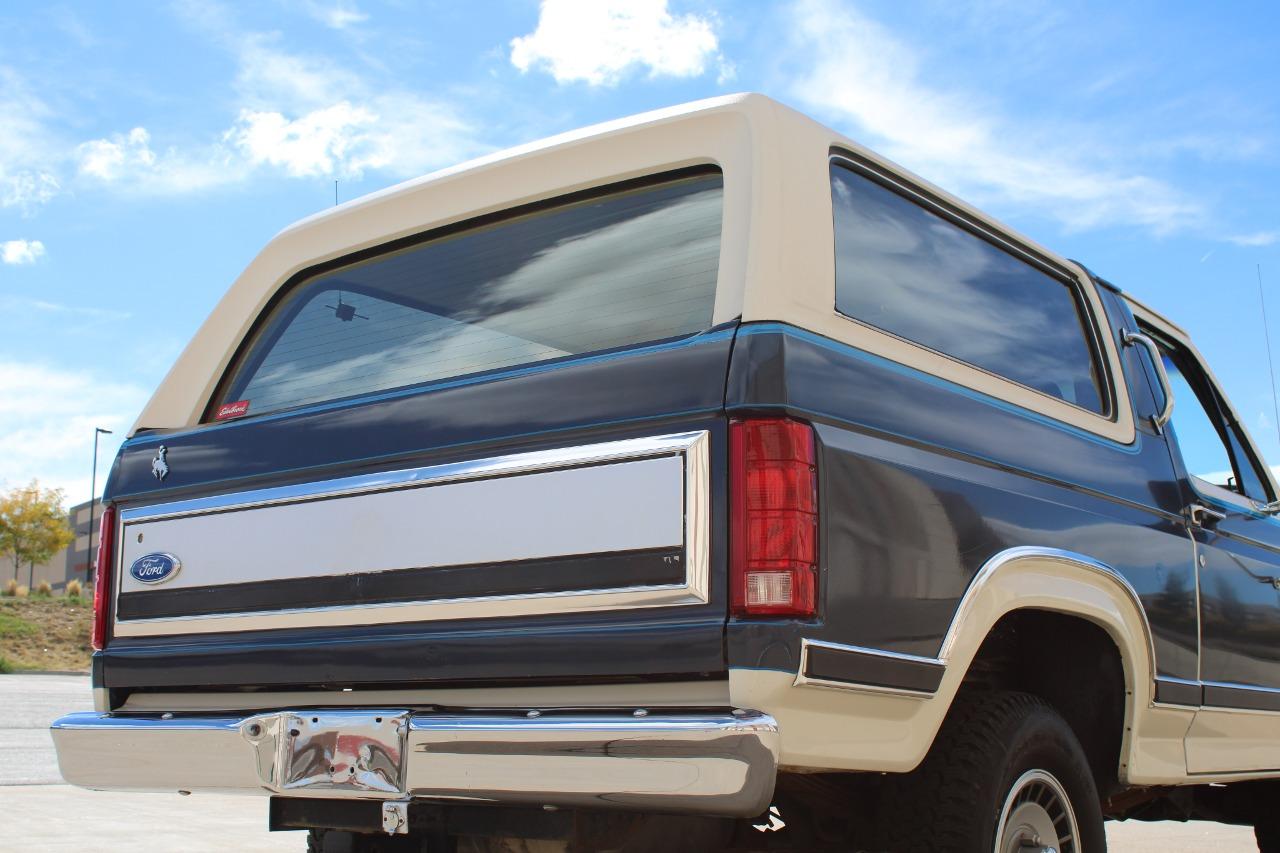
922,482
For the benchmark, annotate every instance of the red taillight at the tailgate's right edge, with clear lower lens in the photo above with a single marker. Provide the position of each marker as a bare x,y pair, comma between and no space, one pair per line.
774,518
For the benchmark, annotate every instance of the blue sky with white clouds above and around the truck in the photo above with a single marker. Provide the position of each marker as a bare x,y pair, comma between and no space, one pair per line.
149,150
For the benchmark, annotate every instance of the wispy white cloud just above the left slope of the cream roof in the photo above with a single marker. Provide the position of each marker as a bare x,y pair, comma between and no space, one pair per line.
300,116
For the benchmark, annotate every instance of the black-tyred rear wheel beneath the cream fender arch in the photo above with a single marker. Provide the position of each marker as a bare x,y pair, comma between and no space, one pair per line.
1005,776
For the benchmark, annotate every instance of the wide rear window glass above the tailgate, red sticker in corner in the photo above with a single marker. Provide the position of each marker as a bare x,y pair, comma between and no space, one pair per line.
611,271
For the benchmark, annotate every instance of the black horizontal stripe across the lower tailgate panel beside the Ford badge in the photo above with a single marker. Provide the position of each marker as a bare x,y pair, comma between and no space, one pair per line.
580,573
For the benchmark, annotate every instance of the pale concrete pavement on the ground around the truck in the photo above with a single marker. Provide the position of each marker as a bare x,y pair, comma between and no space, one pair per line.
40,814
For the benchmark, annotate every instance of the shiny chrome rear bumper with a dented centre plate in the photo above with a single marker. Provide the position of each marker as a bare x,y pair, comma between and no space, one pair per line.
706,764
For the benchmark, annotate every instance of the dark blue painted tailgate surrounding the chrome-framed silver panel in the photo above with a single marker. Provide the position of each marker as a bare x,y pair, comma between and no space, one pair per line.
668,389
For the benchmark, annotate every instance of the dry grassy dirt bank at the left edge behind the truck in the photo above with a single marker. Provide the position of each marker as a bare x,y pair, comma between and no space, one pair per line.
45,635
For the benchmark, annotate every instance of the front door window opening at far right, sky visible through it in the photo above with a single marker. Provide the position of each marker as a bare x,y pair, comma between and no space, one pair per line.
1213,446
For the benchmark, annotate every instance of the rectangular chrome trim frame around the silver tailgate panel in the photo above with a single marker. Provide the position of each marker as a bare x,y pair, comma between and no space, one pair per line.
694,448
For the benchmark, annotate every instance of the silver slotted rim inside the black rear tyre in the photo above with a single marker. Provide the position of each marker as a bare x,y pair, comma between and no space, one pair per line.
1037,818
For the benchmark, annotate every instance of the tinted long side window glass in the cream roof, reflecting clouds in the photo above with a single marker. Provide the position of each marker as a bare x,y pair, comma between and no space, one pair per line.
911,272
